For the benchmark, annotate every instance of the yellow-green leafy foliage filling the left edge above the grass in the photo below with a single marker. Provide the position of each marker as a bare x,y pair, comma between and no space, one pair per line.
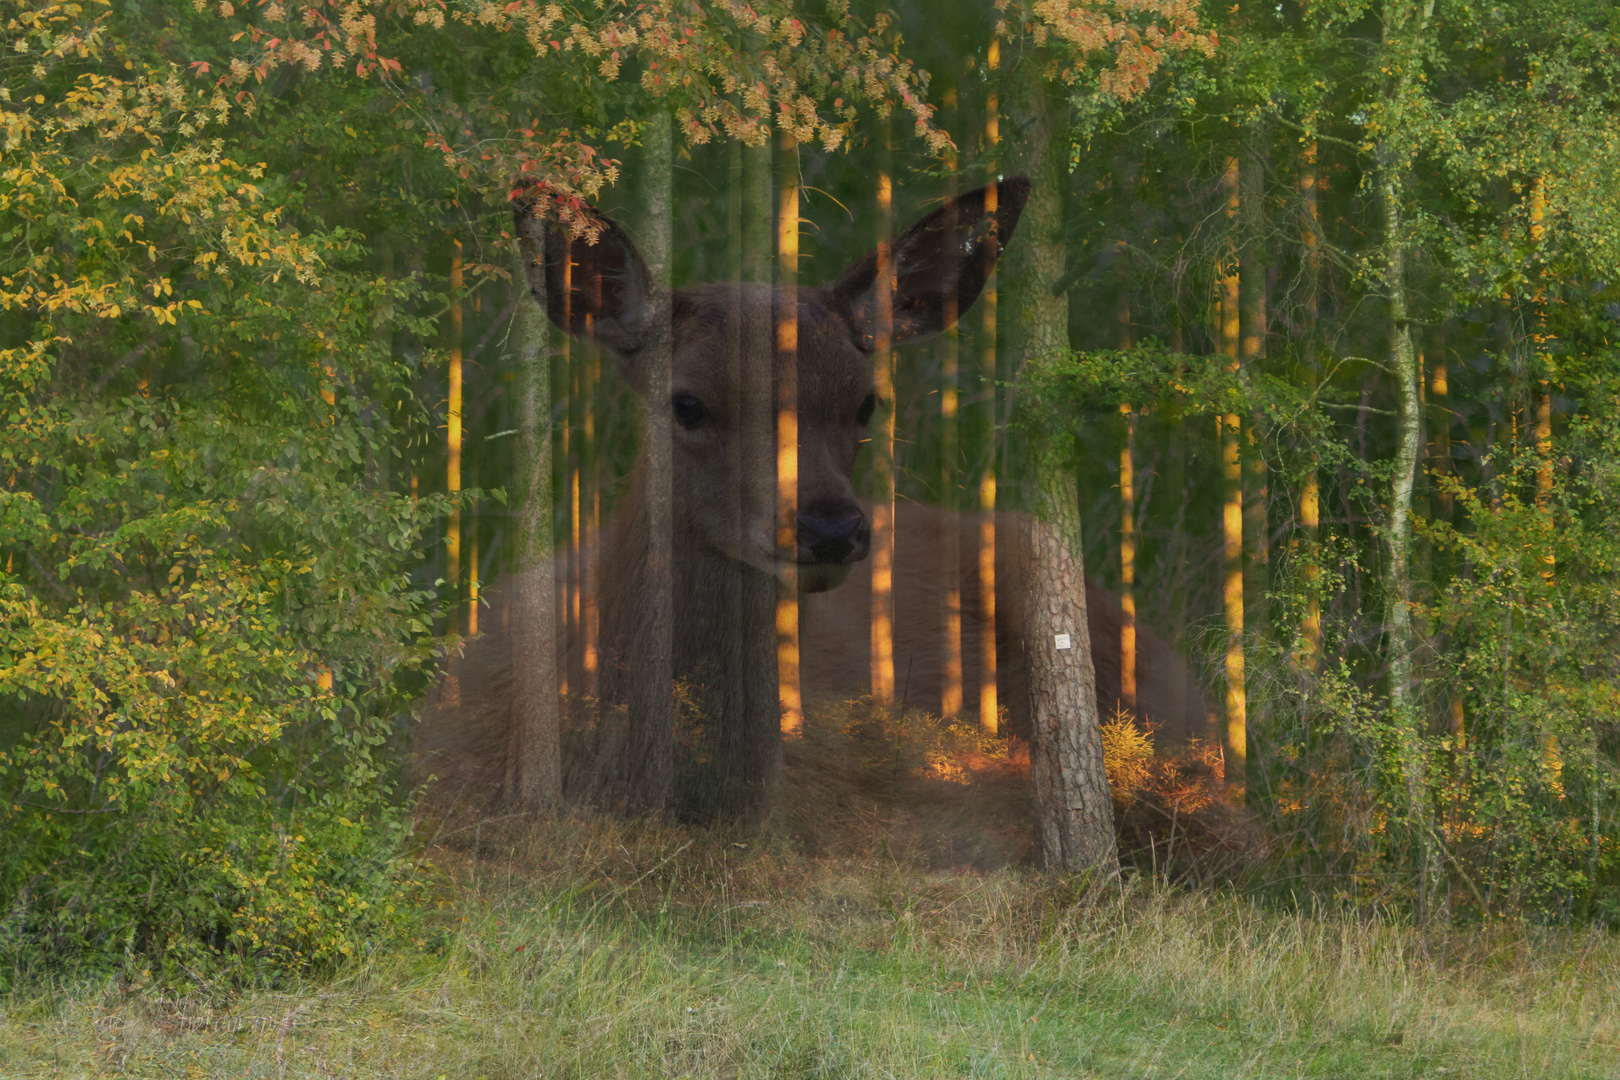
207,614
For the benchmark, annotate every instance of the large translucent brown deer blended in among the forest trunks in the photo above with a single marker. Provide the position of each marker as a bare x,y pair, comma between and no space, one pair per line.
727,368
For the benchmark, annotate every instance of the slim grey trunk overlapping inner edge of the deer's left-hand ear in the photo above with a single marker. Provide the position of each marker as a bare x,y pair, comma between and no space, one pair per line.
650,699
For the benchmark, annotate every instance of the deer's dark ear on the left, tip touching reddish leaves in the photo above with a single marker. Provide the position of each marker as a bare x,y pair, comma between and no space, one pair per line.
600,292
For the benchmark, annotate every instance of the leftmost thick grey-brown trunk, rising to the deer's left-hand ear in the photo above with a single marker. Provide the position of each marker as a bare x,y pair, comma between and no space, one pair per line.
534,760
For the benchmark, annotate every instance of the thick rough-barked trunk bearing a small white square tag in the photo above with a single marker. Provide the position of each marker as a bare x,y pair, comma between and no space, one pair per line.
1073,807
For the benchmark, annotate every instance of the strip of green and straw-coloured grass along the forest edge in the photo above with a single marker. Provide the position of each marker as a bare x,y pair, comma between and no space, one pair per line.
595,948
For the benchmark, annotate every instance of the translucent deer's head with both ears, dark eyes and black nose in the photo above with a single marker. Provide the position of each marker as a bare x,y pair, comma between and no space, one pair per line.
727,367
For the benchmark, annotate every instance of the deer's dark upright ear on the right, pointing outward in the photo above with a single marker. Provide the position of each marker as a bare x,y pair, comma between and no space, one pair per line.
940,266
